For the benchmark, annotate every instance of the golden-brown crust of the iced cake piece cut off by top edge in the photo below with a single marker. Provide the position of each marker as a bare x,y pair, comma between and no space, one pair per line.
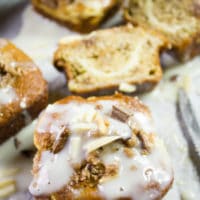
79,22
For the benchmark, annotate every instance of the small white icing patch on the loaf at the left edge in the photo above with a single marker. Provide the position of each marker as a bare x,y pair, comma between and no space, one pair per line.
7,95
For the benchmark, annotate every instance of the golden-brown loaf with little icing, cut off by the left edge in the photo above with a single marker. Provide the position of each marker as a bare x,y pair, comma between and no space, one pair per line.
23,91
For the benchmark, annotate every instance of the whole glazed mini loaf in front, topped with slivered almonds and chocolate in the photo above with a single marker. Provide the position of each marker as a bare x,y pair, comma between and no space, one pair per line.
106,149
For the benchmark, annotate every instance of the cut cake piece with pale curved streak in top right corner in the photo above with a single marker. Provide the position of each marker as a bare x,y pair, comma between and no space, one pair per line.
178,21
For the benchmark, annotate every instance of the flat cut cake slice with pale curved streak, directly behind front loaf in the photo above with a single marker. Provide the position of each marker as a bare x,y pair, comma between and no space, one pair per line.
125,58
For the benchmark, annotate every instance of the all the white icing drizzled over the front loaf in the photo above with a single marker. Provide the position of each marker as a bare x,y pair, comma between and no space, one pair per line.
55,170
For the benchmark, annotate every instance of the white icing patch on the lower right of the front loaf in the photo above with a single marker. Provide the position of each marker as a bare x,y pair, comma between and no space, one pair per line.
132,175
